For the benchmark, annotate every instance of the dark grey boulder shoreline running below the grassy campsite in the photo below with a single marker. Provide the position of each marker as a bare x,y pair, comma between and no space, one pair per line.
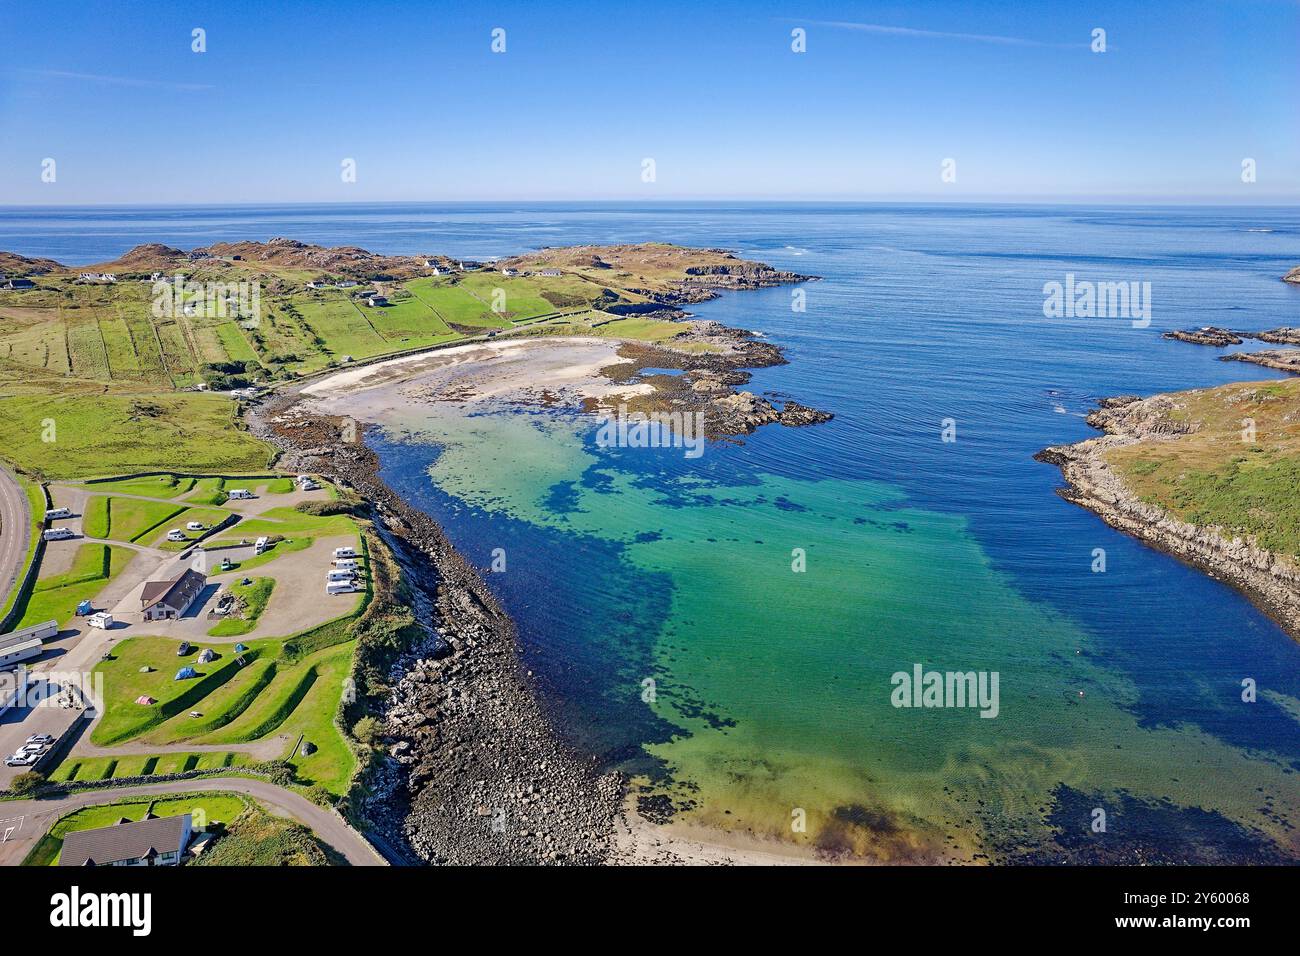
474,773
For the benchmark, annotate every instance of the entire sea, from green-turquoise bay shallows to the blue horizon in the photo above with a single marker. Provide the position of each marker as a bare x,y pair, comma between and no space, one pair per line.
772,687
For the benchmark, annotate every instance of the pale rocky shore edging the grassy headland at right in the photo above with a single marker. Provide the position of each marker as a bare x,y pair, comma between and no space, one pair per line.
1091,483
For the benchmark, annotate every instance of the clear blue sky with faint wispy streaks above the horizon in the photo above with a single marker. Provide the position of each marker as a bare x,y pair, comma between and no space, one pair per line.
586,92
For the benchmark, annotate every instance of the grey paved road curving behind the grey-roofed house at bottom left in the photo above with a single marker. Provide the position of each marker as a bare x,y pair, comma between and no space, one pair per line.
27,821
